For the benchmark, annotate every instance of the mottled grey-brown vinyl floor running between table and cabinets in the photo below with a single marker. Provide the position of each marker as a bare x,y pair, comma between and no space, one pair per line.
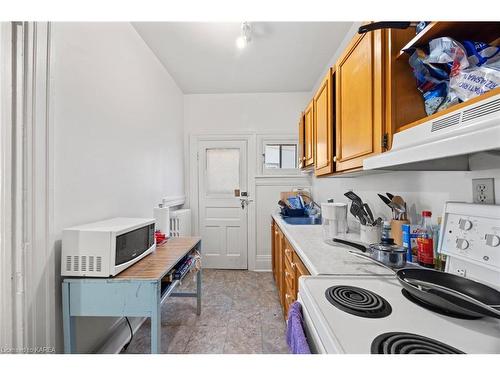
240,313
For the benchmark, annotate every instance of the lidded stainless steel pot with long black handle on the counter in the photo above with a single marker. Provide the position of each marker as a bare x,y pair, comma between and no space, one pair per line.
385,252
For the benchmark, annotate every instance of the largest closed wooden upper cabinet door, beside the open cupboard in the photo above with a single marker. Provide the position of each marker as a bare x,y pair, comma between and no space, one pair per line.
359,88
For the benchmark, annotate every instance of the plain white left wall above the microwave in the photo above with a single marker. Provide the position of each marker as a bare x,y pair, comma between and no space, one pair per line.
118,134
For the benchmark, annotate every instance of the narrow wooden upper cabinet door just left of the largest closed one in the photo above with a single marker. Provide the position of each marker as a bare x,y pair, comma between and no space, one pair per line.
323,127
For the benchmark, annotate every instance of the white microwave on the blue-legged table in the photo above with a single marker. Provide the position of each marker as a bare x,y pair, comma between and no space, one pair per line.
106,248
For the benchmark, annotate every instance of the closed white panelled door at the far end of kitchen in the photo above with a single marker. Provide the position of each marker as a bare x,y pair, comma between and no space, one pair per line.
223,214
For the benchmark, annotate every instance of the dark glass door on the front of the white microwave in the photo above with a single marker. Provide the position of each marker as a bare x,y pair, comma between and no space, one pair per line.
133,244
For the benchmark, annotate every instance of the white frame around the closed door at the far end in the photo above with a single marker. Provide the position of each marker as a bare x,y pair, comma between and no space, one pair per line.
193,182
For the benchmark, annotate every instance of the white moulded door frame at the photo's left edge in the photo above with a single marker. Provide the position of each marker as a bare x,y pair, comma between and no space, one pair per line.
26,207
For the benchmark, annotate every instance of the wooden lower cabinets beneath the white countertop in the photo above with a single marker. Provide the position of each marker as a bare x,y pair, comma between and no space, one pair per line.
287,268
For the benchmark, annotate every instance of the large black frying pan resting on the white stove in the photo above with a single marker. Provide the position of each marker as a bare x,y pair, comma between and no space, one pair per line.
452,293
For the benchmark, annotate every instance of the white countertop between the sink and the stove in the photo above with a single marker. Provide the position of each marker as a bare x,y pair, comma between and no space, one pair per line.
321,258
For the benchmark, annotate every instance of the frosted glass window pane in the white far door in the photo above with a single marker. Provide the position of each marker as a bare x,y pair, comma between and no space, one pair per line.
223,170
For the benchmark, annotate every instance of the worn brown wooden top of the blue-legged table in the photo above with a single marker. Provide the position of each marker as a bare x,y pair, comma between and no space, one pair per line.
157,264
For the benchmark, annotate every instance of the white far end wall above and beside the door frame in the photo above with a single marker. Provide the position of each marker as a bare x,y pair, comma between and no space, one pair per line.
266,113
